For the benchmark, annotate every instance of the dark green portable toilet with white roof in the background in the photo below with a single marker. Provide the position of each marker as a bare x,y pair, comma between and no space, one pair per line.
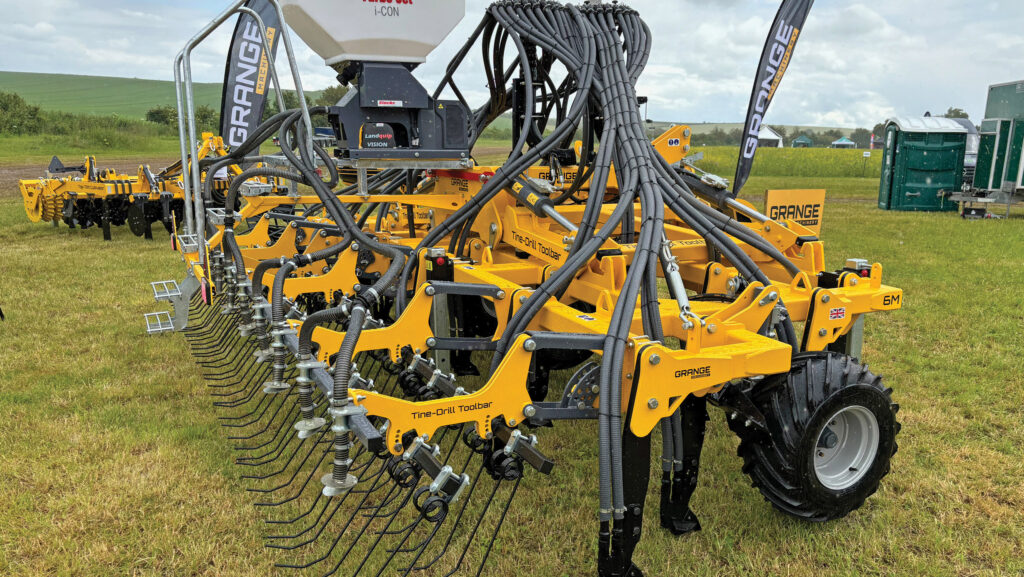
923,162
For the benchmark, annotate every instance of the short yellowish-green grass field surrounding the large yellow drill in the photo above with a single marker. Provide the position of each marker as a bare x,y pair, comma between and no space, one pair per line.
113,463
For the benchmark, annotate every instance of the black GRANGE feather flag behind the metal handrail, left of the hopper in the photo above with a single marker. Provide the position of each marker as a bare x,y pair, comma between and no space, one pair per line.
247,76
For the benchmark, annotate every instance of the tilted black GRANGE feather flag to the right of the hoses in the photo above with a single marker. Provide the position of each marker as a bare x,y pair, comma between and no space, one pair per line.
775,62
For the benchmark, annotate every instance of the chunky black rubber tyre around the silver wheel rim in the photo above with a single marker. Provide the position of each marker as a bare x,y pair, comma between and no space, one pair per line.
796,407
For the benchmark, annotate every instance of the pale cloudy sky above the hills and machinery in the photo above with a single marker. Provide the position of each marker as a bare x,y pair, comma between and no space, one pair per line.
857,64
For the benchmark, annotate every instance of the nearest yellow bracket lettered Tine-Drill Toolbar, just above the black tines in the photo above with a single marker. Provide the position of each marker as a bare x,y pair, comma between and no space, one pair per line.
504,395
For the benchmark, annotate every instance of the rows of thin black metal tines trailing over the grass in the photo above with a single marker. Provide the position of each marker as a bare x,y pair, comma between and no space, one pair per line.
419,513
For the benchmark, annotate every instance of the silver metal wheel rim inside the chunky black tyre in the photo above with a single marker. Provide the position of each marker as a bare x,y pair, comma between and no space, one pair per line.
846,447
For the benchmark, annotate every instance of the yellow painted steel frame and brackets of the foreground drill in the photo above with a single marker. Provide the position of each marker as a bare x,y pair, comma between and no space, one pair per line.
724,346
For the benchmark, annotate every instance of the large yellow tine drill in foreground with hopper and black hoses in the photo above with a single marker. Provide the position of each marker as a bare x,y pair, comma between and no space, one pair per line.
392,353
